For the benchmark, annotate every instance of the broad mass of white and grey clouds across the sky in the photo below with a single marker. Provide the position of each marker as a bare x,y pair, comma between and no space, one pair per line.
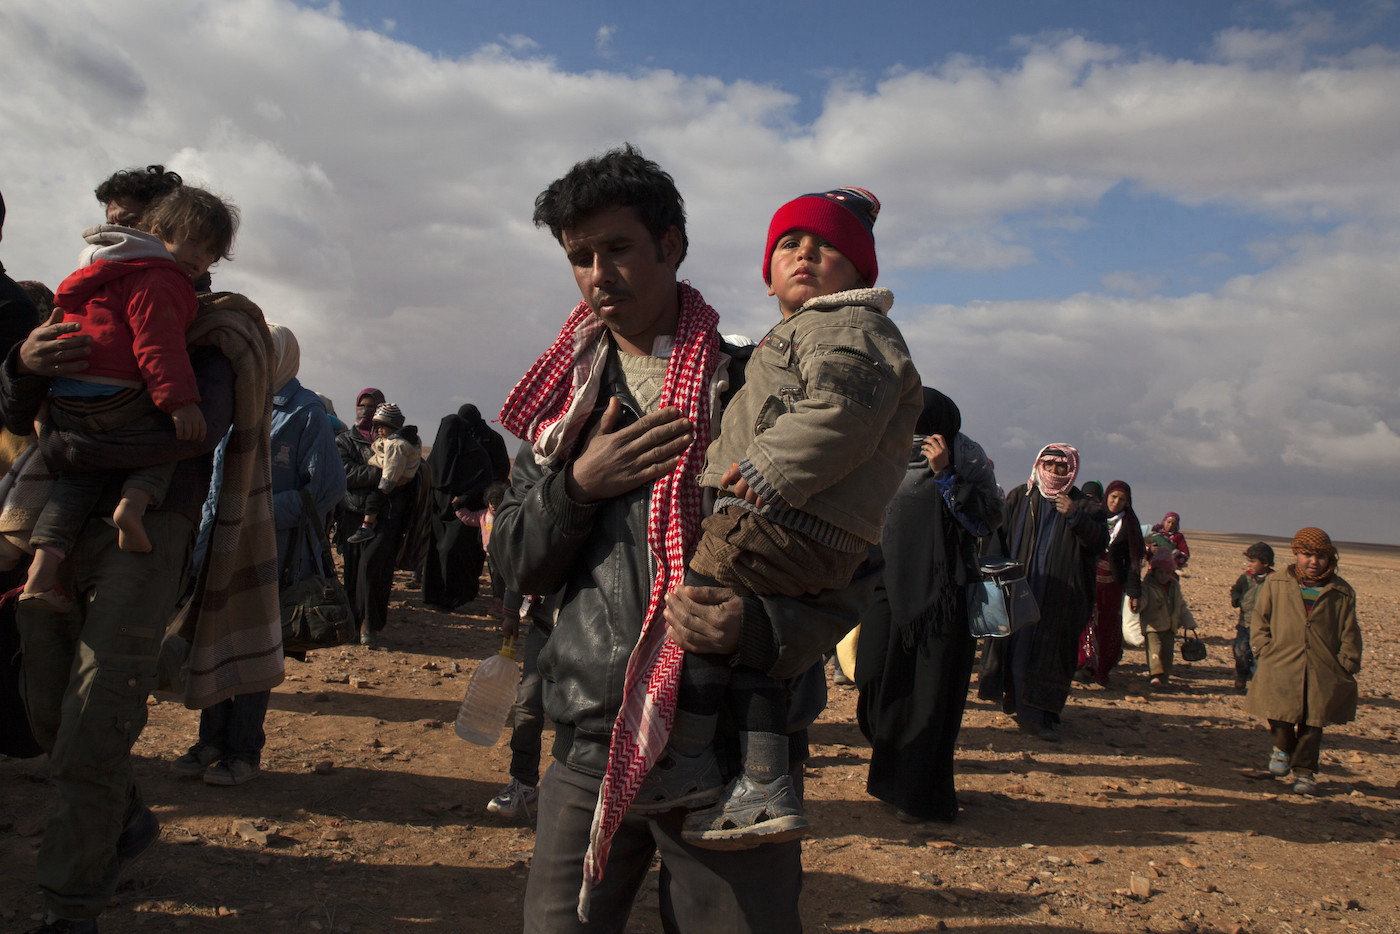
387,198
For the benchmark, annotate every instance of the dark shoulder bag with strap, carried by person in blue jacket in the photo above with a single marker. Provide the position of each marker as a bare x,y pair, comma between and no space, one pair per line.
316,611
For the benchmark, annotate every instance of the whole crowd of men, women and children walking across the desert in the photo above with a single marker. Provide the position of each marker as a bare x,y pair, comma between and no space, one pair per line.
687,533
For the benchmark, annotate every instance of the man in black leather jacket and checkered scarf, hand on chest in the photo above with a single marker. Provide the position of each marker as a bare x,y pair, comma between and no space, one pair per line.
605,510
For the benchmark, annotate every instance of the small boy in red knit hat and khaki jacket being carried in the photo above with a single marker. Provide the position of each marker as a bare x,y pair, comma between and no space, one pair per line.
811,452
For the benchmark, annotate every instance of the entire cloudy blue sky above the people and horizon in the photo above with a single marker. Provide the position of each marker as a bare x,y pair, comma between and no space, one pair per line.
1168,233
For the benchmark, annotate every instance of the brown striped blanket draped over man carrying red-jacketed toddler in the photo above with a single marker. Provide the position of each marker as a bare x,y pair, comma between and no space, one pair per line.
233,621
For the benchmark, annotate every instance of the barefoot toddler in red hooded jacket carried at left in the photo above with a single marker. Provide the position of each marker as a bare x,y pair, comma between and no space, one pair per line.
135,296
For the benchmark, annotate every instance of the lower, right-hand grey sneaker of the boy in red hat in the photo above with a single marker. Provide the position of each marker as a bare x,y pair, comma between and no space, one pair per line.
751,814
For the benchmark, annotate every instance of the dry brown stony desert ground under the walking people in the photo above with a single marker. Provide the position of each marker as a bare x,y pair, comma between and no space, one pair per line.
1153,816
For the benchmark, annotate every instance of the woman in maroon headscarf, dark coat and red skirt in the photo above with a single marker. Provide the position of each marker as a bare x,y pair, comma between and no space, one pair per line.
1118,575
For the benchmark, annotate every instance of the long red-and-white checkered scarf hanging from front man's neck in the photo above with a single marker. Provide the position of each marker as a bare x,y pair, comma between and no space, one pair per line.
549,408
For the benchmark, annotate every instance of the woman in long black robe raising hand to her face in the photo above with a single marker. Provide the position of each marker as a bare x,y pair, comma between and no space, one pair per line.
916,653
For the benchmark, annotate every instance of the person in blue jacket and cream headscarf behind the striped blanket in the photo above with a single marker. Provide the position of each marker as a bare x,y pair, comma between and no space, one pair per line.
304,456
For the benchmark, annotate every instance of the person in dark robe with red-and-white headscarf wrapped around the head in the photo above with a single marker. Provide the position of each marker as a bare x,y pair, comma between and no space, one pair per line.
1058,534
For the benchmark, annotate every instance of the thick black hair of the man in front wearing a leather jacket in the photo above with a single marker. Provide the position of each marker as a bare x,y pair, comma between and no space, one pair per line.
618,179
